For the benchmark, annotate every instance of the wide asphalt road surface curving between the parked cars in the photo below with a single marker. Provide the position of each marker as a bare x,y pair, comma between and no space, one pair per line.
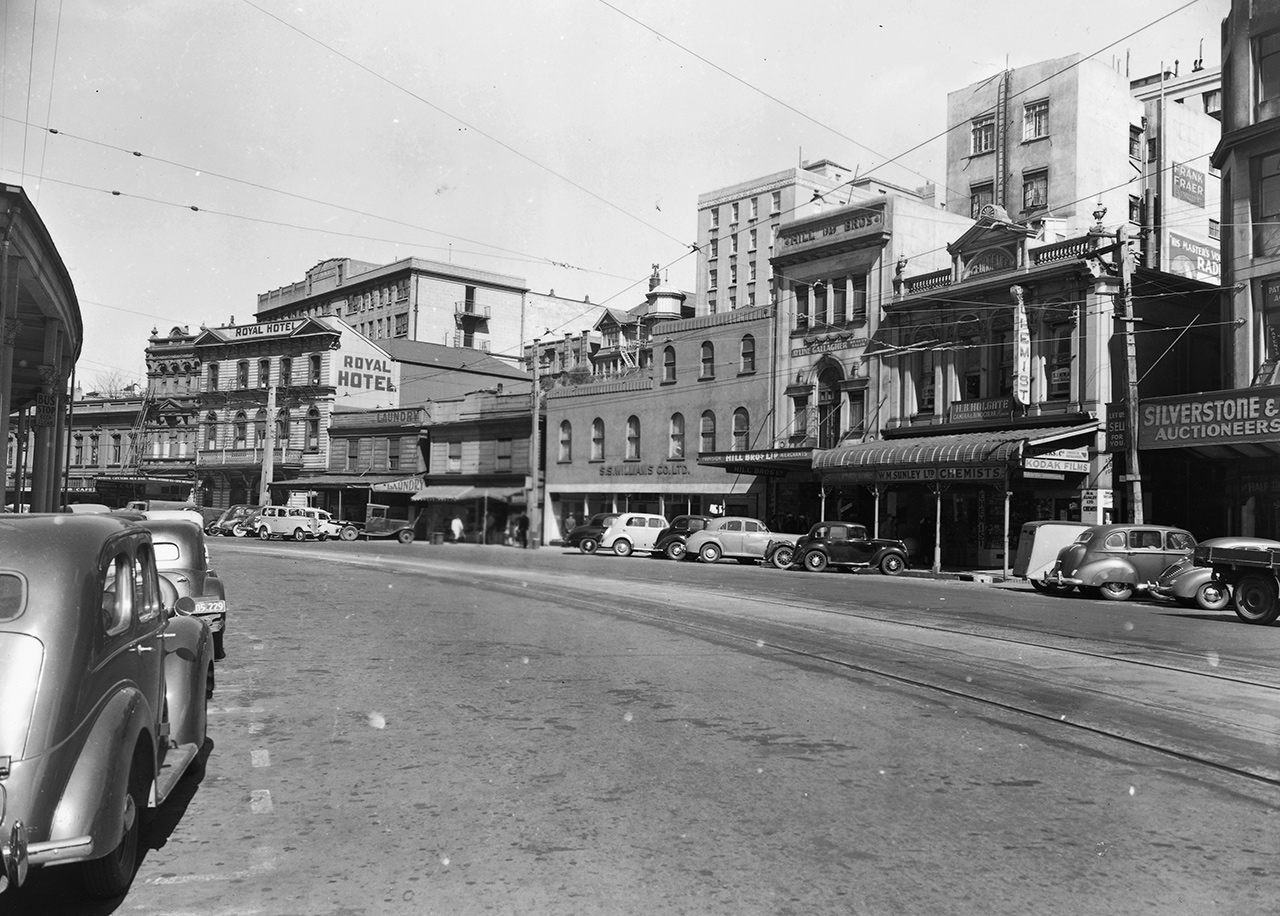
463,730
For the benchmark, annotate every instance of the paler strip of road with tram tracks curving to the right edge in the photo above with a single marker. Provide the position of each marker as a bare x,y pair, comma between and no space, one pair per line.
1192,715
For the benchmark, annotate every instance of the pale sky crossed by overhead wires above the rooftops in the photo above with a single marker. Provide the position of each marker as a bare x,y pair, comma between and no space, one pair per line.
211,152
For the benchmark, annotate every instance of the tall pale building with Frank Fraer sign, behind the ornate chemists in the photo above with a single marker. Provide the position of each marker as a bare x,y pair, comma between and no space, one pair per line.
1053,141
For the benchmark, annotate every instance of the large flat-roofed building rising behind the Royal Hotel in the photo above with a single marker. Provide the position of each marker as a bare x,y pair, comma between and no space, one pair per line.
427,301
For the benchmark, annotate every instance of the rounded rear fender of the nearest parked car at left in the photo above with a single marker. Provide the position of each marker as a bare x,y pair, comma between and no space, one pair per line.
93,801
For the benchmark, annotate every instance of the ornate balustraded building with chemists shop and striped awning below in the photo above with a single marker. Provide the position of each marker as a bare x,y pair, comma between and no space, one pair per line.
994,377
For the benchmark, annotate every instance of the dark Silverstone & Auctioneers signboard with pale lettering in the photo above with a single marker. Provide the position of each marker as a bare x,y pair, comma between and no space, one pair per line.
1247,415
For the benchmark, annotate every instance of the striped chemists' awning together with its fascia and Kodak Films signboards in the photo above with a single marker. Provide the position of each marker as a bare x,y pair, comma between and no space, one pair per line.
975,457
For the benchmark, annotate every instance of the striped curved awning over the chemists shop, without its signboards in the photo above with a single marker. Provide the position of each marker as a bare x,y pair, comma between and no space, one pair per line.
979,450
